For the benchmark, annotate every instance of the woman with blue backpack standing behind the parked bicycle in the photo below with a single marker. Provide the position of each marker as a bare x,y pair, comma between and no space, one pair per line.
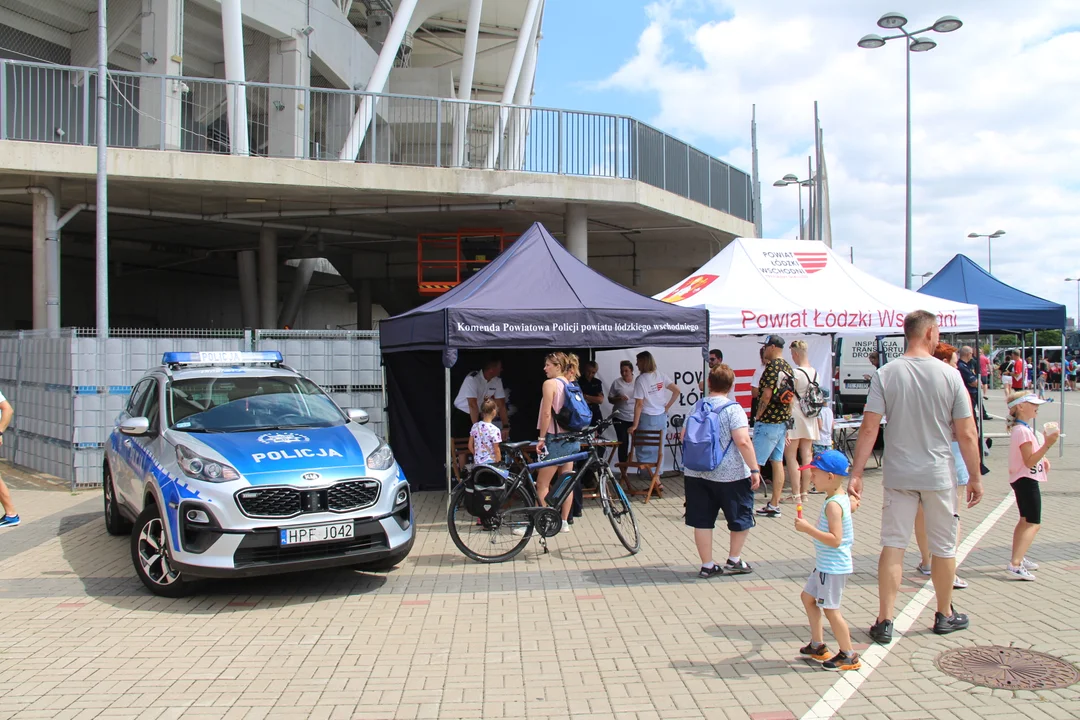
562,370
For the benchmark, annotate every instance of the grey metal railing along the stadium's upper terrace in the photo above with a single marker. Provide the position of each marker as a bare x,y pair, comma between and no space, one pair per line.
56,104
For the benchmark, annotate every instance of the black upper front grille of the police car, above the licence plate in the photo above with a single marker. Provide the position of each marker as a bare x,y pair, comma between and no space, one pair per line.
344,497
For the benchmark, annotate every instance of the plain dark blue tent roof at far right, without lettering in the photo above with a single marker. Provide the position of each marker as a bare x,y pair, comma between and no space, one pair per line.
1002,308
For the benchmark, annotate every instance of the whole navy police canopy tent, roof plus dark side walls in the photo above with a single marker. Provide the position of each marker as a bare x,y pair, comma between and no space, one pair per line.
534,296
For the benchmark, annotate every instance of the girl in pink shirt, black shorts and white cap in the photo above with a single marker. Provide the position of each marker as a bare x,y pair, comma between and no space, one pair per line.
1028,468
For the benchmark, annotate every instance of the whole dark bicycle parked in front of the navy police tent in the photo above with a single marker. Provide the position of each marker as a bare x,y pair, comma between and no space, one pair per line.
495,511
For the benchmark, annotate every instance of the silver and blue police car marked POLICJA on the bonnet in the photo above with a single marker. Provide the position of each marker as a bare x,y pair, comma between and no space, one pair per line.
233,465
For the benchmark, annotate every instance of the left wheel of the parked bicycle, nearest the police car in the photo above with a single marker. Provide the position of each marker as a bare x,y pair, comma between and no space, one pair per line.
494,540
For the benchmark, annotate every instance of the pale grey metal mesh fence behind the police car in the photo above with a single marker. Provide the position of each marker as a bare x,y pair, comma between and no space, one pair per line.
69,387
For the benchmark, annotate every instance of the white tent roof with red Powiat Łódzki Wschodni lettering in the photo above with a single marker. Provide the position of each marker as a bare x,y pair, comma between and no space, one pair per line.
757,287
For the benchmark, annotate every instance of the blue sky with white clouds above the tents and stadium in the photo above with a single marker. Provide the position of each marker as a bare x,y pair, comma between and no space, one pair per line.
995,114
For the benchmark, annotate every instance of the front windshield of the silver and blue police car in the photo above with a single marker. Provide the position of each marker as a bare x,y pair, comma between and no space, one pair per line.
248,404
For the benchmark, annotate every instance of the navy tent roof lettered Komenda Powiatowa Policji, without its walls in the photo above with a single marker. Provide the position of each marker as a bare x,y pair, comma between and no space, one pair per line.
537,295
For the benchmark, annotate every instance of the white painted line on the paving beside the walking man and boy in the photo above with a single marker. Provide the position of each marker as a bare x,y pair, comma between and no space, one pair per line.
848,684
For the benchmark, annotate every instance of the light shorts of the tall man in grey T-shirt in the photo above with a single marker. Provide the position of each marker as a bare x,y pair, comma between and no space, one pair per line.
899,509
